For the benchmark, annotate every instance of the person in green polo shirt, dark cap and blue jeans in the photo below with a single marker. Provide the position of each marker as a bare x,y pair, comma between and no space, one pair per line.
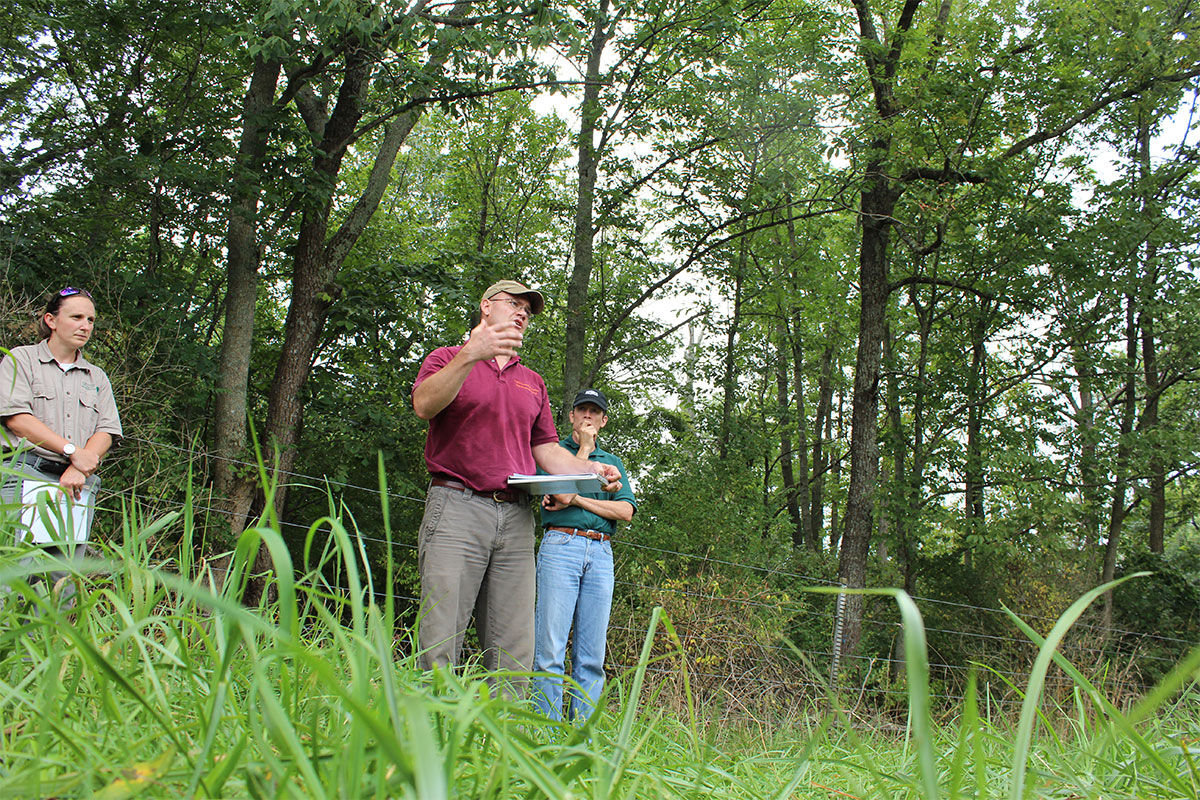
575,573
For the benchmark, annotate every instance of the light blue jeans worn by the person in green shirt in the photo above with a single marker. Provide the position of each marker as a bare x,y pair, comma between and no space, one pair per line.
574,588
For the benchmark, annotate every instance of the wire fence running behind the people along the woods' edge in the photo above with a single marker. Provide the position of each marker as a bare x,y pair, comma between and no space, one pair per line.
739,641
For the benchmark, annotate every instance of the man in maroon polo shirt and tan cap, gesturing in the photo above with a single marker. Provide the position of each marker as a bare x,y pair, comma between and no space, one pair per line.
489,418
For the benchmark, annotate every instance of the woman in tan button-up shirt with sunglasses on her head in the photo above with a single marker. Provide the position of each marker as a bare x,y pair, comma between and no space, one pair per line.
58,414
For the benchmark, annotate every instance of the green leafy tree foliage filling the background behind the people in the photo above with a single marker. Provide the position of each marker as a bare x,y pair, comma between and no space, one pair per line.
734,145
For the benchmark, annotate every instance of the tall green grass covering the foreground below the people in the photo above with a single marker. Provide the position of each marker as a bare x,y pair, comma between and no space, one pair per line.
161,683
